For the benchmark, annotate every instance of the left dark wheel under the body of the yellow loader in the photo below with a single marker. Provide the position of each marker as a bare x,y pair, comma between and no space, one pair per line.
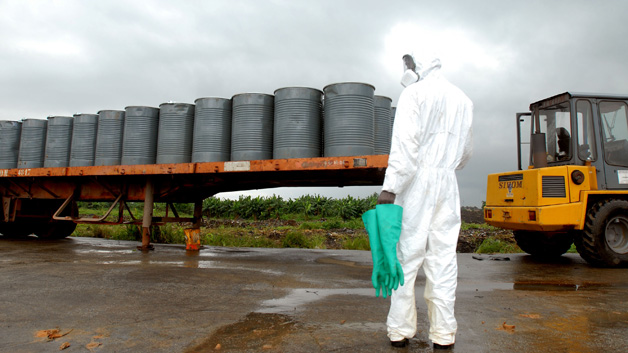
543,245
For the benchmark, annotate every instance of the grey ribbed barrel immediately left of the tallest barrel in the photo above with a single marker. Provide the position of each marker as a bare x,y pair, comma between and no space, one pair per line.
297,126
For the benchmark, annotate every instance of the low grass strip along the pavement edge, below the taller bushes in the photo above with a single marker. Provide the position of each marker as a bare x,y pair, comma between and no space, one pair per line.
293,230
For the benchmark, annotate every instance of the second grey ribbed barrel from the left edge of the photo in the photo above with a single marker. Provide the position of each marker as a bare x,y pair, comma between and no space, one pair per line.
32,143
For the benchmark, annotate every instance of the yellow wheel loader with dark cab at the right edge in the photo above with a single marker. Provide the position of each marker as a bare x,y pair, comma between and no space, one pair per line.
575,187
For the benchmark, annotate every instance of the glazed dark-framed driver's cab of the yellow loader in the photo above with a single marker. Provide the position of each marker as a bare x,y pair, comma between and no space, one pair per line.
577,129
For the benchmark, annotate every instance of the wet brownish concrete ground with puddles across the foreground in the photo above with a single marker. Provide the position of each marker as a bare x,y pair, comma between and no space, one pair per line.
288,300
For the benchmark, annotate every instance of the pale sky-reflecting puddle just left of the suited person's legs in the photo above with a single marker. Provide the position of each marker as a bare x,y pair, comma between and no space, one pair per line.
302,296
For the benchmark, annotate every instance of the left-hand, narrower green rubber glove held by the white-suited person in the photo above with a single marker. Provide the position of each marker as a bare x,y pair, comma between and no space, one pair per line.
379,276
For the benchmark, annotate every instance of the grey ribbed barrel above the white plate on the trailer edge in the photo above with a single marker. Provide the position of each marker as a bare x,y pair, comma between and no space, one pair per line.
252,127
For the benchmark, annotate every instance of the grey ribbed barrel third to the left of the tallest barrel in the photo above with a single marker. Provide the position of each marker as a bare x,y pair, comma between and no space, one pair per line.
212,130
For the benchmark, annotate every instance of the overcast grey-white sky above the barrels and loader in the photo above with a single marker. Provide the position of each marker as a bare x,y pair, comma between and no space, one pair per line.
65,57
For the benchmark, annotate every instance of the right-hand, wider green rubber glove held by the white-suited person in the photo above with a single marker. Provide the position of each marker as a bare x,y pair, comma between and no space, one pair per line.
389,223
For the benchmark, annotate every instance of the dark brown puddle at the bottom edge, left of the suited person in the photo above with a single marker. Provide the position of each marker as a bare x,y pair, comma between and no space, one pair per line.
255,333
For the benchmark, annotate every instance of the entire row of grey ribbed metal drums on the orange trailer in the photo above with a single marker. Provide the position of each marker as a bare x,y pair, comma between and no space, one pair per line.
345,119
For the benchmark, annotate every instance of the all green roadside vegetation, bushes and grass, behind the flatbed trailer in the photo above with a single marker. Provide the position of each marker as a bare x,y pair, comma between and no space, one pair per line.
313,222
